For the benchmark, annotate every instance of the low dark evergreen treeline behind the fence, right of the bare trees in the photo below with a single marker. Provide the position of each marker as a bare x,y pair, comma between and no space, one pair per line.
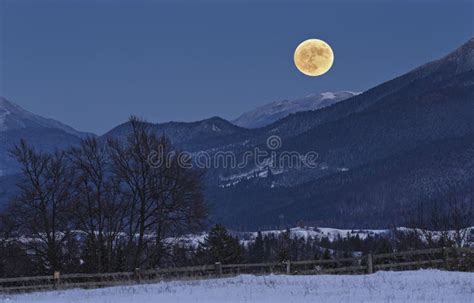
220,246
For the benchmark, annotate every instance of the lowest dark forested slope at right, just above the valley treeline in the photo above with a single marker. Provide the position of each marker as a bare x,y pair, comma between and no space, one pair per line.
370,196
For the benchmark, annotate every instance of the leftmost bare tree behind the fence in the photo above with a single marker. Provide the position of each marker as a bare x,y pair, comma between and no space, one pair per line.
41,211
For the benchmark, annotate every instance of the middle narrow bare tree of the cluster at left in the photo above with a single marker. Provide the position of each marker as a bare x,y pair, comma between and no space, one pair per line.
98,207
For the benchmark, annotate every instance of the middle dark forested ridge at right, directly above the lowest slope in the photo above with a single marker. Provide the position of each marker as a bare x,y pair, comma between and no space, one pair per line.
424,111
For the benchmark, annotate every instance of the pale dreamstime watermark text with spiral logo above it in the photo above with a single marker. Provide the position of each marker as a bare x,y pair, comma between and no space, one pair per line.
268,156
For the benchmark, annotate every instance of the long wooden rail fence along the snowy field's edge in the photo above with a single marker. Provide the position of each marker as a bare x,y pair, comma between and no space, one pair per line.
447,258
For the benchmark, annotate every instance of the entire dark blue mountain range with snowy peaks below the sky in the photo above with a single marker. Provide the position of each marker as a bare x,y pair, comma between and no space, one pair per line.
405,141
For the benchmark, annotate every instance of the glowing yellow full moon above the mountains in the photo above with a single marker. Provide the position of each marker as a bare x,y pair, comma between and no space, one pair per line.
313,57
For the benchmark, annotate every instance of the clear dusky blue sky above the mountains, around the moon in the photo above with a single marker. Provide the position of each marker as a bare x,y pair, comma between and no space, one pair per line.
91,64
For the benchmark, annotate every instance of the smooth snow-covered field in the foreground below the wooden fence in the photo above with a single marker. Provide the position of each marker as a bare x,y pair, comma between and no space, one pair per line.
407,286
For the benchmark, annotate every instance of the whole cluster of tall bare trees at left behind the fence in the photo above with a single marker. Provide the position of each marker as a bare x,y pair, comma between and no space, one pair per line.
123,204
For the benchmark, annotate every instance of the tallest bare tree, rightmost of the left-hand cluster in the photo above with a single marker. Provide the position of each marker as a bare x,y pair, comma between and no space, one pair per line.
164,198
